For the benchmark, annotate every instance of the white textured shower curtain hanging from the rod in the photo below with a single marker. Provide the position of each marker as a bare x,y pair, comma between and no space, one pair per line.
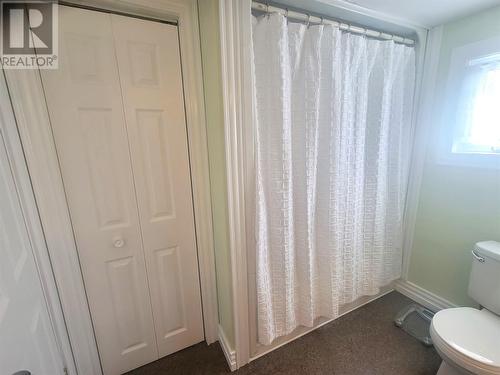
333,128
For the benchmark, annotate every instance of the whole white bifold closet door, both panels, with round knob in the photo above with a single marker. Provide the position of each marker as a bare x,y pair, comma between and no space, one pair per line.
117,113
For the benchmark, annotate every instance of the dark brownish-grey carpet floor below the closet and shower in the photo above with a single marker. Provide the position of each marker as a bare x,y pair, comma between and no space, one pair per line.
365,341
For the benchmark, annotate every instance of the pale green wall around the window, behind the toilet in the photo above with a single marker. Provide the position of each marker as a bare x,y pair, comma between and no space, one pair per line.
458,205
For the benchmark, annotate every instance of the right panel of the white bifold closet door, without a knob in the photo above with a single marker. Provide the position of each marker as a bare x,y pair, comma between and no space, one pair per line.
150,73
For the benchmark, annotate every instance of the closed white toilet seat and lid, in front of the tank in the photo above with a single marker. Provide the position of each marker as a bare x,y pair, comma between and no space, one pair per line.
469,337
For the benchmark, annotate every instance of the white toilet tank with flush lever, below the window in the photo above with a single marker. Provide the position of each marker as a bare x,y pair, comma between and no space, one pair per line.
484,281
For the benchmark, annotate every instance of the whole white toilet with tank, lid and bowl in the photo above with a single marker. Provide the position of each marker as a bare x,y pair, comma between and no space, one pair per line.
468,339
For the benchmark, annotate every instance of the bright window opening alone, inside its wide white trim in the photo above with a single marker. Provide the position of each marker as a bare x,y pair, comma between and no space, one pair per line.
478,113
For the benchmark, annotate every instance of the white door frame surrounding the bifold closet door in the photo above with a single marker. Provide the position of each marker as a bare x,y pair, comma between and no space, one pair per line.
33,122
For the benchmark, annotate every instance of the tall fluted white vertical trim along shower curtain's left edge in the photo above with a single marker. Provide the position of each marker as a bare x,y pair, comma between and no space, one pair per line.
235,31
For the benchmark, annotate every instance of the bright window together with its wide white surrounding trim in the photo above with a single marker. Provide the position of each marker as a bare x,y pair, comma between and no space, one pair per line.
468,131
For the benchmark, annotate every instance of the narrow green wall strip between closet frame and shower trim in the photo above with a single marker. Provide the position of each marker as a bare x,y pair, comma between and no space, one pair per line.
210,49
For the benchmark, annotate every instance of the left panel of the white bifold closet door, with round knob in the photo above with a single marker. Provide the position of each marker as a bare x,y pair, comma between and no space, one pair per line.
86,112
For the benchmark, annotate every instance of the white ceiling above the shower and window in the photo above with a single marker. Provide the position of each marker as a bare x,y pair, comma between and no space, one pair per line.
426,13
